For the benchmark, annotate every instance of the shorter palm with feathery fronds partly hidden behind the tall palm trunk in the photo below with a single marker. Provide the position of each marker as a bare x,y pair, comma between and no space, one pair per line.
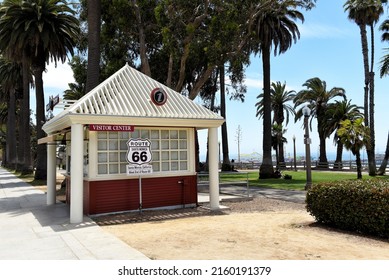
280,107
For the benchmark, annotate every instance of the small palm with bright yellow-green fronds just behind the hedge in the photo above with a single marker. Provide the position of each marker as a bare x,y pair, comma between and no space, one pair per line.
354,135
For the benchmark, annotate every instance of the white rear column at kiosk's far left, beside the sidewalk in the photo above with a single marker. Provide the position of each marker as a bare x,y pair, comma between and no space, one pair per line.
51,173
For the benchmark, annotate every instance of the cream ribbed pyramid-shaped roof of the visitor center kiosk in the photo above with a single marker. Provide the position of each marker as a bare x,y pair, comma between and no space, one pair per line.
125,97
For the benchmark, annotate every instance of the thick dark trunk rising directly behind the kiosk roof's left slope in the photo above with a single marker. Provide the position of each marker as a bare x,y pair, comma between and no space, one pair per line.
93,70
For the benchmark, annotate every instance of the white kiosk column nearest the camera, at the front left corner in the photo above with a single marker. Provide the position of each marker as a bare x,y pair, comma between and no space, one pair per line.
76,174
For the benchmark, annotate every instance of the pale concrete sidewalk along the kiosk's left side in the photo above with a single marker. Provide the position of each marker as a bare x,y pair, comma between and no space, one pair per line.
31,230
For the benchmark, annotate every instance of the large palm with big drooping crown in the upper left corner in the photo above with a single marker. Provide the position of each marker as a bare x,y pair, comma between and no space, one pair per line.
43,30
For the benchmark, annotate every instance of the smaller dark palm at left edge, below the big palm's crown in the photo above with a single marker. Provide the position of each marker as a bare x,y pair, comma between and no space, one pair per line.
11,77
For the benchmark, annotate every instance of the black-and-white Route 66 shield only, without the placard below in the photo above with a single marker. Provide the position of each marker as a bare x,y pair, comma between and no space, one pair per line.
139,151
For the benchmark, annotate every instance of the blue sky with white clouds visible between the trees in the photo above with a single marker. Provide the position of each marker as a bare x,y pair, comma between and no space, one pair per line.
329,48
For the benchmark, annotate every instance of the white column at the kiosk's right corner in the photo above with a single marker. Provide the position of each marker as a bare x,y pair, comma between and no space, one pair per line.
213,168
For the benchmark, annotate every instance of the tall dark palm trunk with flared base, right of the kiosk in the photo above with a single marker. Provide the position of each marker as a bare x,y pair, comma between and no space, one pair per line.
266,169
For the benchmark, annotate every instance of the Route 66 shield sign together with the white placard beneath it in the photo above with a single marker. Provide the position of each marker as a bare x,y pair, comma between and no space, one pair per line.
139,156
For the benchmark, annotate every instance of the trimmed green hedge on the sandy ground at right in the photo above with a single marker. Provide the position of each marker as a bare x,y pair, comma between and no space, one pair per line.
356,205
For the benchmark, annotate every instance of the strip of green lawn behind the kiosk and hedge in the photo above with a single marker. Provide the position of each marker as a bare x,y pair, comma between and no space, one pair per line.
296,183
